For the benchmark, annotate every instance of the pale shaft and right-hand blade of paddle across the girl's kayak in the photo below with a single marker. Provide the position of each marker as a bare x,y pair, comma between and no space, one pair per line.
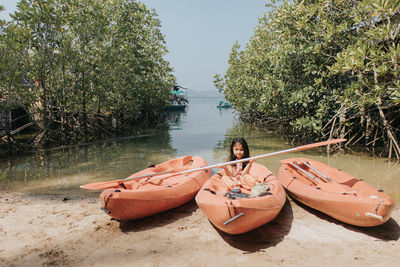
299,148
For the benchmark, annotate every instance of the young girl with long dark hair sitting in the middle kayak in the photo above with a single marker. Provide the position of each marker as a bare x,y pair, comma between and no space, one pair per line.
237,175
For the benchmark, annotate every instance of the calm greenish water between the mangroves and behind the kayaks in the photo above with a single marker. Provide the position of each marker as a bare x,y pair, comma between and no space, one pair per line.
203,130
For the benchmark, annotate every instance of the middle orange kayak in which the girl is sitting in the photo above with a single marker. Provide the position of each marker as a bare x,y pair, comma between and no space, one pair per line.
240,215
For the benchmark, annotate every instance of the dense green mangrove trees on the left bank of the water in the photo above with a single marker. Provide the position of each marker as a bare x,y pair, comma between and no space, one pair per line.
84,61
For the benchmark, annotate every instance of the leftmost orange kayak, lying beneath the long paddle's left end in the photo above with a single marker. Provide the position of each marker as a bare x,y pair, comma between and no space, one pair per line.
149,195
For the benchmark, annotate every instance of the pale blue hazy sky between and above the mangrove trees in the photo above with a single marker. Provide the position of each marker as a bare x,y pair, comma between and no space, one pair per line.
199,34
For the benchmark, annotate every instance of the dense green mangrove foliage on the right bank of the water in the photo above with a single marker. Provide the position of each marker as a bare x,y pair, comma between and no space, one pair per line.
317,68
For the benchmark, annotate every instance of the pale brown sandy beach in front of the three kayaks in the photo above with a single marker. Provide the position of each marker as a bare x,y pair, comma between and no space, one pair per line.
71,230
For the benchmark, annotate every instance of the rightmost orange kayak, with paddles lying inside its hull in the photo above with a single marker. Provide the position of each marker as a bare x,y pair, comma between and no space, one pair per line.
334,192
